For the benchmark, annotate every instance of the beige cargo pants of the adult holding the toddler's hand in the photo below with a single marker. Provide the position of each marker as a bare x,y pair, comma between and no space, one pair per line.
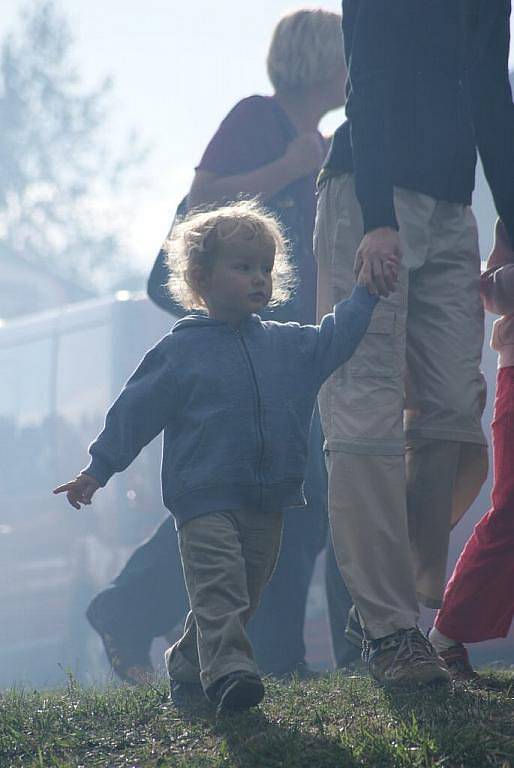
391,484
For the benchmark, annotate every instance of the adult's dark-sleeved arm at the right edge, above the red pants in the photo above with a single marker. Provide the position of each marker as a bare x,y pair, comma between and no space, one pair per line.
493,109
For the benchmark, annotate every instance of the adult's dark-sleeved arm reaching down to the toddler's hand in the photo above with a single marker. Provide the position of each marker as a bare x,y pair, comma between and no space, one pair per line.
369,32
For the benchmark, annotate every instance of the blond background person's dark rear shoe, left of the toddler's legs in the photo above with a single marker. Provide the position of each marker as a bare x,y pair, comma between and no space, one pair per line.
130,666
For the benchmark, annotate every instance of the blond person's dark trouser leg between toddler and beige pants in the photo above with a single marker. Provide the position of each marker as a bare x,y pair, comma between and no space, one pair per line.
276,630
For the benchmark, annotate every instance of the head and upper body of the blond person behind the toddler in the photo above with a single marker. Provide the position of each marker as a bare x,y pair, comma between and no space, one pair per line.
270,146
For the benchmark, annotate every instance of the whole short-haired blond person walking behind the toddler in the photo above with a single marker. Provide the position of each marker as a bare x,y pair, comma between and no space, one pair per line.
268,146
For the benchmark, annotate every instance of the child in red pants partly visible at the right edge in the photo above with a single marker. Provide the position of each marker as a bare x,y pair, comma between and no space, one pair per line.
478,603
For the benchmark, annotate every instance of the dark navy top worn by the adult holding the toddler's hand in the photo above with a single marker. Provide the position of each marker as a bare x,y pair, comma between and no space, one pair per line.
428,85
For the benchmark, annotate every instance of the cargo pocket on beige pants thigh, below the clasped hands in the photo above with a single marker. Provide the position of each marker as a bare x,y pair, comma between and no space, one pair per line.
376,355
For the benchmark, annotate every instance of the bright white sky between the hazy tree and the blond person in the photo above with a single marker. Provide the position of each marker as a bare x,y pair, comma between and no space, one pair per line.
177,68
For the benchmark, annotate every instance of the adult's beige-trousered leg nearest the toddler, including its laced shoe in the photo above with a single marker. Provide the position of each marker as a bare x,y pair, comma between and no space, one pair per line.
361,408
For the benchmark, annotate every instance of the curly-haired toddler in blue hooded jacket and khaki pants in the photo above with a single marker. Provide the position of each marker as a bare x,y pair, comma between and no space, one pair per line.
234,396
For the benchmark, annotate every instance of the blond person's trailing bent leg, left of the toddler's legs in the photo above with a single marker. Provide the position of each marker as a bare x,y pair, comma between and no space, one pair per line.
135,608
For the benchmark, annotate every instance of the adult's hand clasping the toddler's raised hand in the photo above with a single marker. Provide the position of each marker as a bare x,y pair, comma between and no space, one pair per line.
379,255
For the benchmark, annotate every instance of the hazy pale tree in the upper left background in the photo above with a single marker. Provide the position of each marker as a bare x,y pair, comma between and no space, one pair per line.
63,186
